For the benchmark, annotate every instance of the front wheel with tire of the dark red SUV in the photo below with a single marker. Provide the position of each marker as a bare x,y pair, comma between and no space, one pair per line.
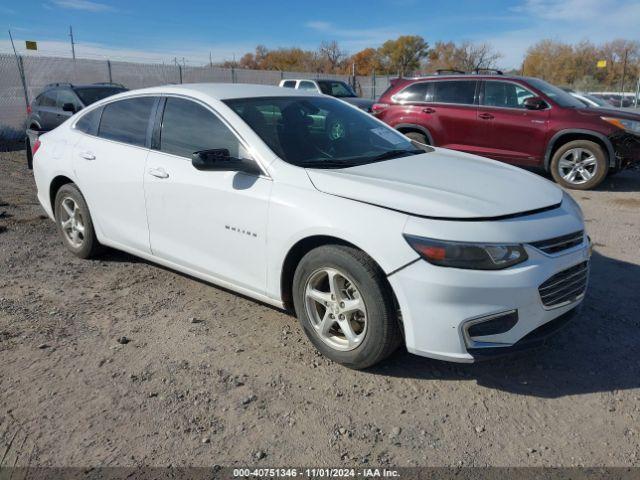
570,161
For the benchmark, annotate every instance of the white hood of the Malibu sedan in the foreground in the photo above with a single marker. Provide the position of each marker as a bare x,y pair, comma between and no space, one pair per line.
441,184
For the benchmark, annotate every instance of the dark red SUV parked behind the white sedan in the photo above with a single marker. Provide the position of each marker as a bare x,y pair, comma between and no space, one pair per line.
519,120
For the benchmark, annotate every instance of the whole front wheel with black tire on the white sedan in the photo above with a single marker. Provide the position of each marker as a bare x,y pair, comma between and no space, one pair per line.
375,328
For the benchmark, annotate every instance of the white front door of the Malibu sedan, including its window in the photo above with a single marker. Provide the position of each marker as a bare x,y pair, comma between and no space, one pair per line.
211,222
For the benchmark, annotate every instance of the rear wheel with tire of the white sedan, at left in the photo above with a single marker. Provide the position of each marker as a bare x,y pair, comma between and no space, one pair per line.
69,205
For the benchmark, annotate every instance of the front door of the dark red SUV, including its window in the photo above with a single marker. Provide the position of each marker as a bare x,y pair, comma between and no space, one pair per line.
511,132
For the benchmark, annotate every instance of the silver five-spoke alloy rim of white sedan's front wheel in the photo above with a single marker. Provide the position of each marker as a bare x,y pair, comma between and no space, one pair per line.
336,309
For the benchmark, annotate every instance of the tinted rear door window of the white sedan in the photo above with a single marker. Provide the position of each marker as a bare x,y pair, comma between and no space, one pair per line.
127,120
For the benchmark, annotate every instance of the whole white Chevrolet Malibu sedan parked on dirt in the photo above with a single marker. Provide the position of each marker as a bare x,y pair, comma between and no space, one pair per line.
304,202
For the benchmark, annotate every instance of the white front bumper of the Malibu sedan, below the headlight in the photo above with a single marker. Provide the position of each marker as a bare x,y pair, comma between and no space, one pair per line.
436,304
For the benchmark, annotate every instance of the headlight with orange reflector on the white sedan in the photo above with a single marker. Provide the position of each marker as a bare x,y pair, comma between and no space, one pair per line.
475,256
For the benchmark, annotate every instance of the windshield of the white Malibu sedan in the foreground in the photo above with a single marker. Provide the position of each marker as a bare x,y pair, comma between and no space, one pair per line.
320,132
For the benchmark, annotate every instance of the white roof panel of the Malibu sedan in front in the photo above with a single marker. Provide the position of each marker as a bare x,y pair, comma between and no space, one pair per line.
223,91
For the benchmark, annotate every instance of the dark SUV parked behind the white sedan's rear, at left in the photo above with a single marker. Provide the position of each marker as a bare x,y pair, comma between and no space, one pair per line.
59,101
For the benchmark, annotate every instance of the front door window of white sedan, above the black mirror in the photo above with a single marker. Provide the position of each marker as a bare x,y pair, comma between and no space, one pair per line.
188,127
